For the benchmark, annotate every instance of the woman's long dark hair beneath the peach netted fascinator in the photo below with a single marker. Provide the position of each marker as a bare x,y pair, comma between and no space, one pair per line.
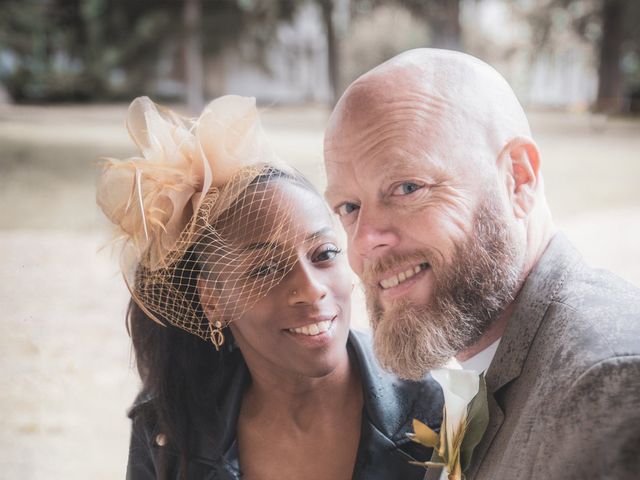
182,374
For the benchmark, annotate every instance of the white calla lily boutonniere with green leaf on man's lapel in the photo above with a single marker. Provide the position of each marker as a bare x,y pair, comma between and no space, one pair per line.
464,421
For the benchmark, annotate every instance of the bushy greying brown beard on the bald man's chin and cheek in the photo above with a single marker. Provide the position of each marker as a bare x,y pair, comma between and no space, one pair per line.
469,294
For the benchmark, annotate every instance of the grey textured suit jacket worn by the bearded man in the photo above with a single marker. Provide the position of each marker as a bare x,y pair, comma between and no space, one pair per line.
564,386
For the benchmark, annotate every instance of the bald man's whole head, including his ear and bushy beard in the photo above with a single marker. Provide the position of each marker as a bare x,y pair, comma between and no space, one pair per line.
433,172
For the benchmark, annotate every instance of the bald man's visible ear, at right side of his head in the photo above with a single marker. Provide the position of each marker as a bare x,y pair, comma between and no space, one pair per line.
521,164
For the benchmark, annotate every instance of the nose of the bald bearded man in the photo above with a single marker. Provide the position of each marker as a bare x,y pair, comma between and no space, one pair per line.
373,234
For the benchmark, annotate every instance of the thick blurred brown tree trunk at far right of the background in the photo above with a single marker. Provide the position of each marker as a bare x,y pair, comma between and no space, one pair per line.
610,92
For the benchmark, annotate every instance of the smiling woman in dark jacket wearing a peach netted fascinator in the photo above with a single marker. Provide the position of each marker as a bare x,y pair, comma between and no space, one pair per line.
226,244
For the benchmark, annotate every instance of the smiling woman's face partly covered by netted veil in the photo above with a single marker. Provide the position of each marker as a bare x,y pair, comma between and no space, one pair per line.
300,325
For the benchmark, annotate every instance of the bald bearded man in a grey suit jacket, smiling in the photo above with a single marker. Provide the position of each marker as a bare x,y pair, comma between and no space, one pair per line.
433,172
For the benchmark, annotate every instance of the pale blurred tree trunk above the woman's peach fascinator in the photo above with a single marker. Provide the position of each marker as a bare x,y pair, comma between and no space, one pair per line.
194,69
